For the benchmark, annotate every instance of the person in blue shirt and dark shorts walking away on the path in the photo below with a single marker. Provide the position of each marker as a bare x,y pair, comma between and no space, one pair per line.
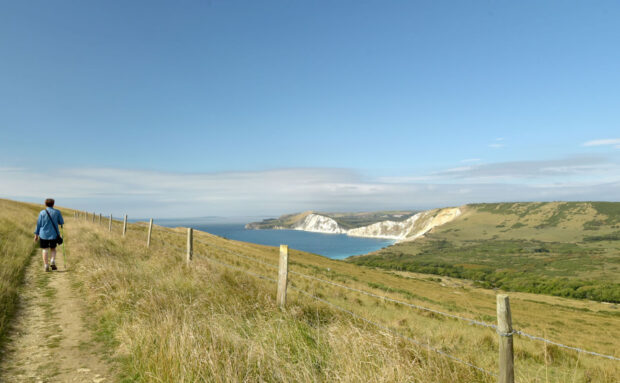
47,233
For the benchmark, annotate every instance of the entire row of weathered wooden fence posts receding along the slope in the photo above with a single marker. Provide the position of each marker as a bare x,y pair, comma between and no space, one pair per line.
504,316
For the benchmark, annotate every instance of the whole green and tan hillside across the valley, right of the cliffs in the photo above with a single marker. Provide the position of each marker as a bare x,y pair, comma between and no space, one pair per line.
563,248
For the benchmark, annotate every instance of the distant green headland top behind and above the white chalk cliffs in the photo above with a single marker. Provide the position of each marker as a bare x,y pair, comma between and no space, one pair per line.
345,220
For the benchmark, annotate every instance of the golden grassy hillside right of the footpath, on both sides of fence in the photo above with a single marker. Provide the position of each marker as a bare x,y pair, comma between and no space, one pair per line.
163,321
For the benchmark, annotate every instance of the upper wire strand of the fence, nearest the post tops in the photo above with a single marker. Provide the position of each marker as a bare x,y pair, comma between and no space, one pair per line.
469,320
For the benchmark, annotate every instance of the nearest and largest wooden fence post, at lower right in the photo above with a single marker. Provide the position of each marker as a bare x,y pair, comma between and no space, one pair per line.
504,329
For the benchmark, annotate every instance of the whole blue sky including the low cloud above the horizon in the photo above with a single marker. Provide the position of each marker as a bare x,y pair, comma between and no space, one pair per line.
255,109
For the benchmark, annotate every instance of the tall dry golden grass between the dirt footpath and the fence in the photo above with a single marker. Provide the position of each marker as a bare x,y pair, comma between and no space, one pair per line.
167,322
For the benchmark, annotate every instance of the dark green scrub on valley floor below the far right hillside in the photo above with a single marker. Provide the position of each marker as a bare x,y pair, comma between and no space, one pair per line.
528,266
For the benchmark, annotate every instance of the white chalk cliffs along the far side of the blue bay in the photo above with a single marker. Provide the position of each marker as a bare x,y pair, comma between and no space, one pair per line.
407,230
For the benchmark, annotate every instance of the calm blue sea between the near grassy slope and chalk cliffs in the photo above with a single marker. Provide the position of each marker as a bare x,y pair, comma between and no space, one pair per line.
335,246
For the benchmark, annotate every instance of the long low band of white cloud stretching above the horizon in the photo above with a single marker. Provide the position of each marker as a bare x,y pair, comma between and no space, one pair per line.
167,194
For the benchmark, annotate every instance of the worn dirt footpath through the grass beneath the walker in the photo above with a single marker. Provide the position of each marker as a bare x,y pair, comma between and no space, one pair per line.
49,341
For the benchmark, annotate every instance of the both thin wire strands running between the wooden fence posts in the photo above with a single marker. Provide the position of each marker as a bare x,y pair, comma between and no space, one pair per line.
378,296
